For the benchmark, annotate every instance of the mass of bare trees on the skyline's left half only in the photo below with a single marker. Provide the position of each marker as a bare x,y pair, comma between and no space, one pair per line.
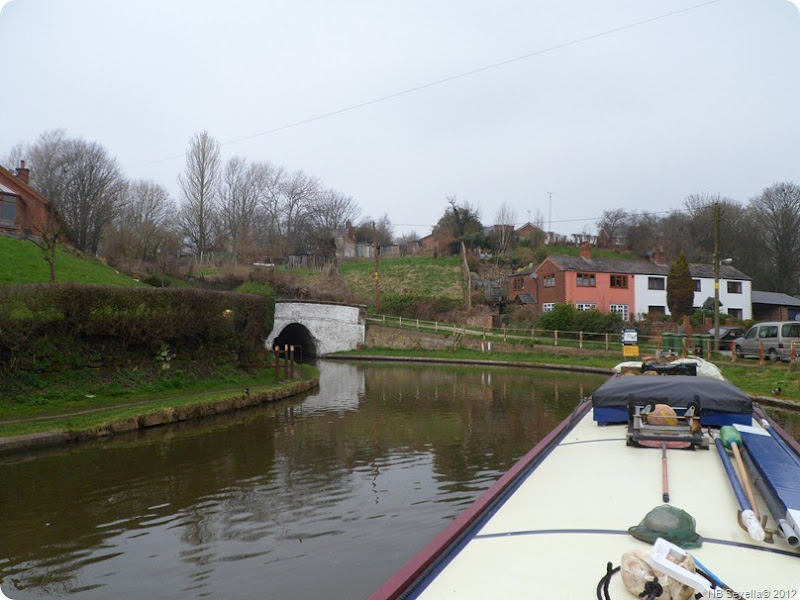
251,211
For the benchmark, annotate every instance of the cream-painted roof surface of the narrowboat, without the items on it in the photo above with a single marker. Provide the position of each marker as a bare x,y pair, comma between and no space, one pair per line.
553,533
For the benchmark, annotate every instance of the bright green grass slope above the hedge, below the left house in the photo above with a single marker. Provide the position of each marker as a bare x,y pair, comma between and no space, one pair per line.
23,262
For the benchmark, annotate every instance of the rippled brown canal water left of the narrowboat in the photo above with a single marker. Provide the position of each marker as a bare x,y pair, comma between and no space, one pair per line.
320,496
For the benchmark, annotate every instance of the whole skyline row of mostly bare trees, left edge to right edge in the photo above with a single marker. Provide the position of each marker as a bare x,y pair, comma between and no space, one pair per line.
257,211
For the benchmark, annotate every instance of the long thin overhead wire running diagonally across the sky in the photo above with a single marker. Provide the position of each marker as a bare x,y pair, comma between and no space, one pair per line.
430,84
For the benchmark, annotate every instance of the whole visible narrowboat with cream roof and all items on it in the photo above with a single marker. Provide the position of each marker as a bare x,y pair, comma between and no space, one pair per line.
674,486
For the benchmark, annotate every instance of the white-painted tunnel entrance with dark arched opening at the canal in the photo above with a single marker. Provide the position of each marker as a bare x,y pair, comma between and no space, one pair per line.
319,328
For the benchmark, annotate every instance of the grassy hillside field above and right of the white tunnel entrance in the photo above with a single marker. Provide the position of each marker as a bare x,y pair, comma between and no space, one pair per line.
418,276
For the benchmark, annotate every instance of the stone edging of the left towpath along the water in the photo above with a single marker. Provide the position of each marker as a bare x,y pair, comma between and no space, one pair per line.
154,418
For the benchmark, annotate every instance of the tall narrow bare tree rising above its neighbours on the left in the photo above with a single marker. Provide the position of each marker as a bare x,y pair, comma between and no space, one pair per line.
198,183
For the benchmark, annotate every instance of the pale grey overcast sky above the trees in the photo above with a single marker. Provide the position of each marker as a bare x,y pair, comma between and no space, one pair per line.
608,104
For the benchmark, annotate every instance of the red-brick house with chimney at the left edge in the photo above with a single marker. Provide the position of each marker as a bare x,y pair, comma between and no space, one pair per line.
23,211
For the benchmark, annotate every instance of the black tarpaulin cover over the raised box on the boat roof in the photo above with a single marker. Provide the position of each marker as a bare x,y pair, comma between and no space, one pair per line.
675,390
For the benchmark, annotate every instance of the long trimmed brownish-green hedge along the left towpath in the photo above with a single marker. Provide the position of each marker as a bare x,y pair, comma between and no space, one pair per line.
71,325
